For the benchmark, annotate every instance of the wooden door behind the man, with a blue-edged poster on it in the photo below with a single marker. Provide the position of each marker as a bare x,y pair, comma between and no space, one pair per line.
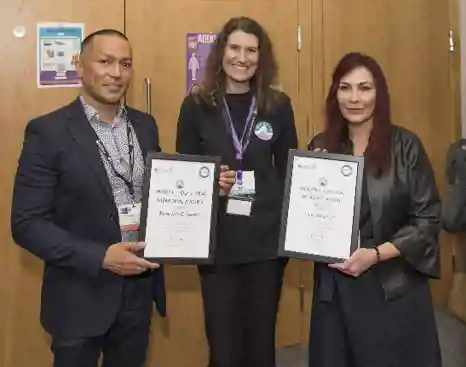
22,340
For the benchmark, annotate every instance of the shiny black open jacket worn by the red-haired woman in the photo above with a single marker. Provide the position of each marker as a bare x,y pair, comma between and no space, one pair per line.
405,210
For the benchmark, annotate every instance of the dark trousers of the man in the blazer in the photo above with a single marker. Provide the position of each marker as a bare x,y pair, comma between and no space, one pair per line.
124,345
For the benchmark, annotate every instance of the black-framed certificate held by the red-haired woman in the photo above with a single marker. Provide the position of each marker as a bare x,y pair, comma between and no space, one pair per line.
322,200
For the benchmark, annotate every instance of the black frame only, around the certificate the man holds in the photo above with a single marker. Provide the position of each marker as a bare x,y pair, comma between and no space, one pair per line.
146,191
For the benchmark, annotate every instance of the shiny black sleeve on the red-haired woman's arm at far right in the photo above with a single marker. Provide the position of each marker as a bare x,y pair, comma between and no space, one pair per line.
417,240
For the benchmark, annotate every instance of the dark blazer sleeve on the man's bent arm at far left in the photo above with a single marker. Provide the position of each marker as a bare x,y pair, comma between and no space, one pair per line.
32,223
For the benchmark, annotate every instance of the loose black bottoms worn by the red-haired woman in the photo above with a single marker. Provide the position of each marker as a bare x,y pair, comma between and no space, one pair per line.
359,328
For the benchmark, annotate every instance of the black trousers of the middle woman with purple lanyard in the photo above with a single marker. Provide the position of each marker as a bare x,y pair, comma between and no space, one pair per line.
240,309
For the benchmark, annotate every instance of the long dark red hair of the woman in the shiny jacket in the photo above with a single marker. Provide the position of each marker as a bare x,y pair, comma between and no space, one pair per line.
378,151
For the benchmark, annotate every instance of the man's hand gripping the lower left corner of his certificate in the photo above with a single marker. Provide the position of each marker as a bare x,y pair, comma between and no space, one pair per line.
120,259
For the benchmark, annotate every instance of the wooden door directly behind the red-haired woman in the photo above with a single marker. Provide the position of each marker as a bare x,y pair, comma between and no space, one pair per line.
410,41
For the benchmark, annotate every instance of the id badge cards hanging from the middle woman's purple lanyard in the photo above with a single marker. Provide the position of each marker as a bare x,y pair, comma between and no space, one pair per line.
241,196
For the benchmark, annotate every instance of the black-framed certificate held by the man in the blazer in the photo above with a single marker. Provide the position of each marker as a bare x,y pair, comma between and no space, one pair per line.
179,208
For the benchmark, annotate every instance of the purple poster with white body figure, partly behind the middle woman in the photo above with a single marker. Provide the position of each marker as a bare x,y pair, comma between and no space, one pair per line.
197,50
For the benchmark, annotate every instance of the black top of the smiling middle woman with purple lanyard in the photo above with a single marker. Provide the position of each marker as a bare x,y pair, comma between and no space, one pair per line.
203,131
